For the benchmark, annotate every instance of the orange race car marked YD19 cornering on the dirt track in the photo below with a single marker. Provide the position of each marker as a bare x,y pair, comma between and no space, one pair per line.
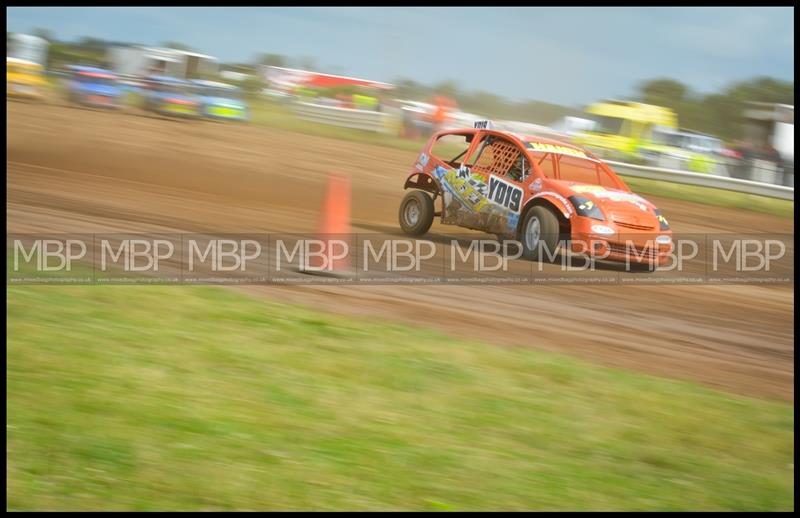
540,192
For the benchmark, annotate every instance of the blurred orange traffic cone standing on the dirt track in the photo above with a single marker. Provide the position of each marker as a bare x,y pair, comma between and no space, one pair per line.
333,230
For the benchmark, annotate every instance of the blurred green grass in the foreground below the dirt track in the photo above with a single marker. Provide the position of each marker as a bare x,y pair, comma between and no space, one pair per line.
146,398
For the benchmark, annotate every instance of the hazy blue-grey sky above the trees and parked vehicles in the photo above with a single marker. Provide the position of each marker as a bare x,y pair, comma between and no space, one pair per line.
562,55
